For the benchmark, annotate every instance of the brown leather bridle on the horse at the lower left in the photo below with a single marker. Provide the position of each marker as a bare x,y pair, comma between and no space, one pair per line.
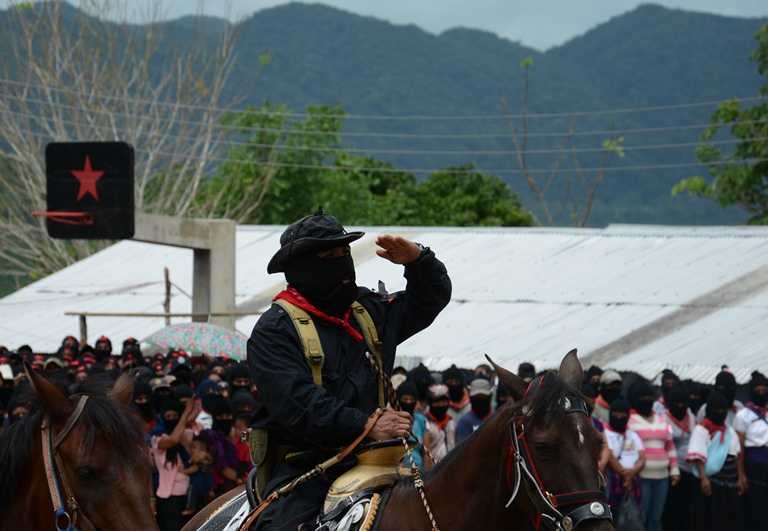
65,507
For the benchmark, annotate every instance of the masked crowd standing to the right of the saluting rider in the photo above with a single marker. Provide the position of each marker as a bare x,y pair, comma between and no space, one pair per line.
679,456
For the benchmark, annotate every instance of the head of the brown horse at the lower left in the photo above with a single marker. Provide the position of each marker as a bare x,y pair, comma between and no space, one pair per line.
97,455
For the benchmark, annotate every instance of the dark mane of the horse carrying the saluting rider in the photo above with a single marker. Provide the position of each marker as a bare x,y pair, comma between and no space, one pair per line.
540,404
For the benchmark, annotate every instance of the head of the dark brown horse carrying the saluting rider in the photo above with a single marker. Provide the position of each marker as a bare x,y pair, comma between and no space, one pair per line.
554,450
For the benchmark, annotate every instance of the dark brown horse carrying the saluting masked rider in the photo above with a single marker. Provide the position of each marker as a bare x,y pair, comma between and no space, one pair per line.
531,466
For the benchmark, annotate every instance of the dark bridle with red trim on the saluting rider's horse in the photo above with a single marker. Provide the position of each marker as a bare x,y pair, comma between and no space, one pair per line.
558,512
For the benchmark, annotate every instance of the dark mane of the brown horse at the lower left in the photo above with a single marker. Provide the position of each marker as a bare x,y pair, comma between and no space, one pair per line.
102,418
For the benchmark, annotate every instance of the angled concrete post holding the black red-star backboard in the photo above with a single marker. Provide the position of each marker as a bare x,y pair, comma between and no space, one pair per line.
213,269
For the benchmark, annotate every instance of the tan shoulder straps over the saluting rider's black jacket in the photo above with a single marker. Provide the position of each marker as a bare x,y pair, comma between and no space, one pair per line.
313,349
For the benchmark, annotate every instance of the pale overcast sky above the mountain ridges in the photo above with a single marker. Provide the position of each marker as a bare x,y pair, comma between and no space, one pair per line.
537,23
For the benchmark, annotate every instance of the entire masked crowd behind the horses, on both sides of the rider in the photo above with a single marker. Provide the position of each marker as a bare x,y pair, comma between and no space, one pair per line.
678,455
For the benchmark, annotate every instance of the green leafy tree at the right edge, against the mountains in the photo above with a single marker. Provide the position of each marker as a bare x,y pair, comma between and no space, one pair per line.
743,179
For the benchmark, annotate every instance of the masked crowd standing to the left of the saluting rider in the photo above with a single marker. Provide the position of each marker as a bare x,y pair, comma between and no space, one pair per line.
193,410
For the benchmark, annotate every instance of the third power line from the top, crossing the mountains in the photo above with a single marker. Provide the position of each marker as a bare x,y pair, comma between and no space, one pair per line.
422,152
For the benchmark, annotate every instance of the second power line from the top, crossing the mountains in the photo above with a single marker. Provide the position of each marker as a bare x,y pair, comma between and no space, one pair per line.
358,134
